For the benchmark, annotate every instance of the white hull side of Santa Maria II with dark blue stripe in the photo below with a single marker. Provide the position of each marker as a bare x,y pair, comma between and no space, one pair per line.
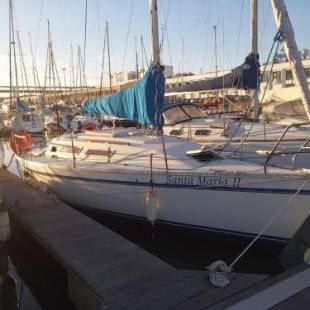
208,202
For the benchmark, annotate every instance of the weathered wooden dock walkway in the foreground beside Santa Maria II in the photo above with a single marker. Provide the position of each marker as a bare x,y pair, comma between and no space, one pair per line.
104,270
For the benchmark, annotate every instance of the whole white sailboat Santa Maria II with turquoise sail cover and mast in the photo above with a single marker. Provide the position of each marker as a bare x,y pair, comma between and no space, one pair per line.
140,173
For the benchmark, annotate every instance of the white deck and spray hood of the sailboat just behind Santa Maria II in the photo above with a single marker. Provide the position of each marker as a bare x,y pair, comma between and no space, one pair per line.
251,142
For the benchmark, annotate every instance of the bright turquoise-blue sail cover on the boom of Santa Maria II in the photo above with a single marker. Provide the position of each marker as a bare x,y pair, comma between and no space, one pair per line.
141,103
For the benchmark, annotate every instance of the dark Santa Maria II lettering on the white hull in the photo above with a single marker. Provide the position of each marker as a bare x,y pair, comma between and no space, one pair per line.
203,181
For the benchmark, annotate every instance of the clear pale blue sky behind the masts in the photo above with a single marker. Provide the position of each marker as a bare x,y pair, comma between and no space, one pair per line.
186,27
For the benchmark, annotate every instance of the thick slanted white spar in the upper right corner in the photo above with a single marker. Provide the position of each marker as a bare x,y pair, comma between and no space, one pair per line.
290,47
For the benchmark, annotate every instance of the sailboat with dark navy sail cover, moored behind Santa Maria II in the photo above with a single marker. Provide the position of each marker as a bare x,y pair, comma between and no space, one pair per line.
251,141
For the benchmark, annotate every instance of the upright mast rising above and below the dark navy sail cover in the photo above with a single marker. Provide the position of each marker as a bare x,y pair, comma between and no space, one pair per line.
254,50
